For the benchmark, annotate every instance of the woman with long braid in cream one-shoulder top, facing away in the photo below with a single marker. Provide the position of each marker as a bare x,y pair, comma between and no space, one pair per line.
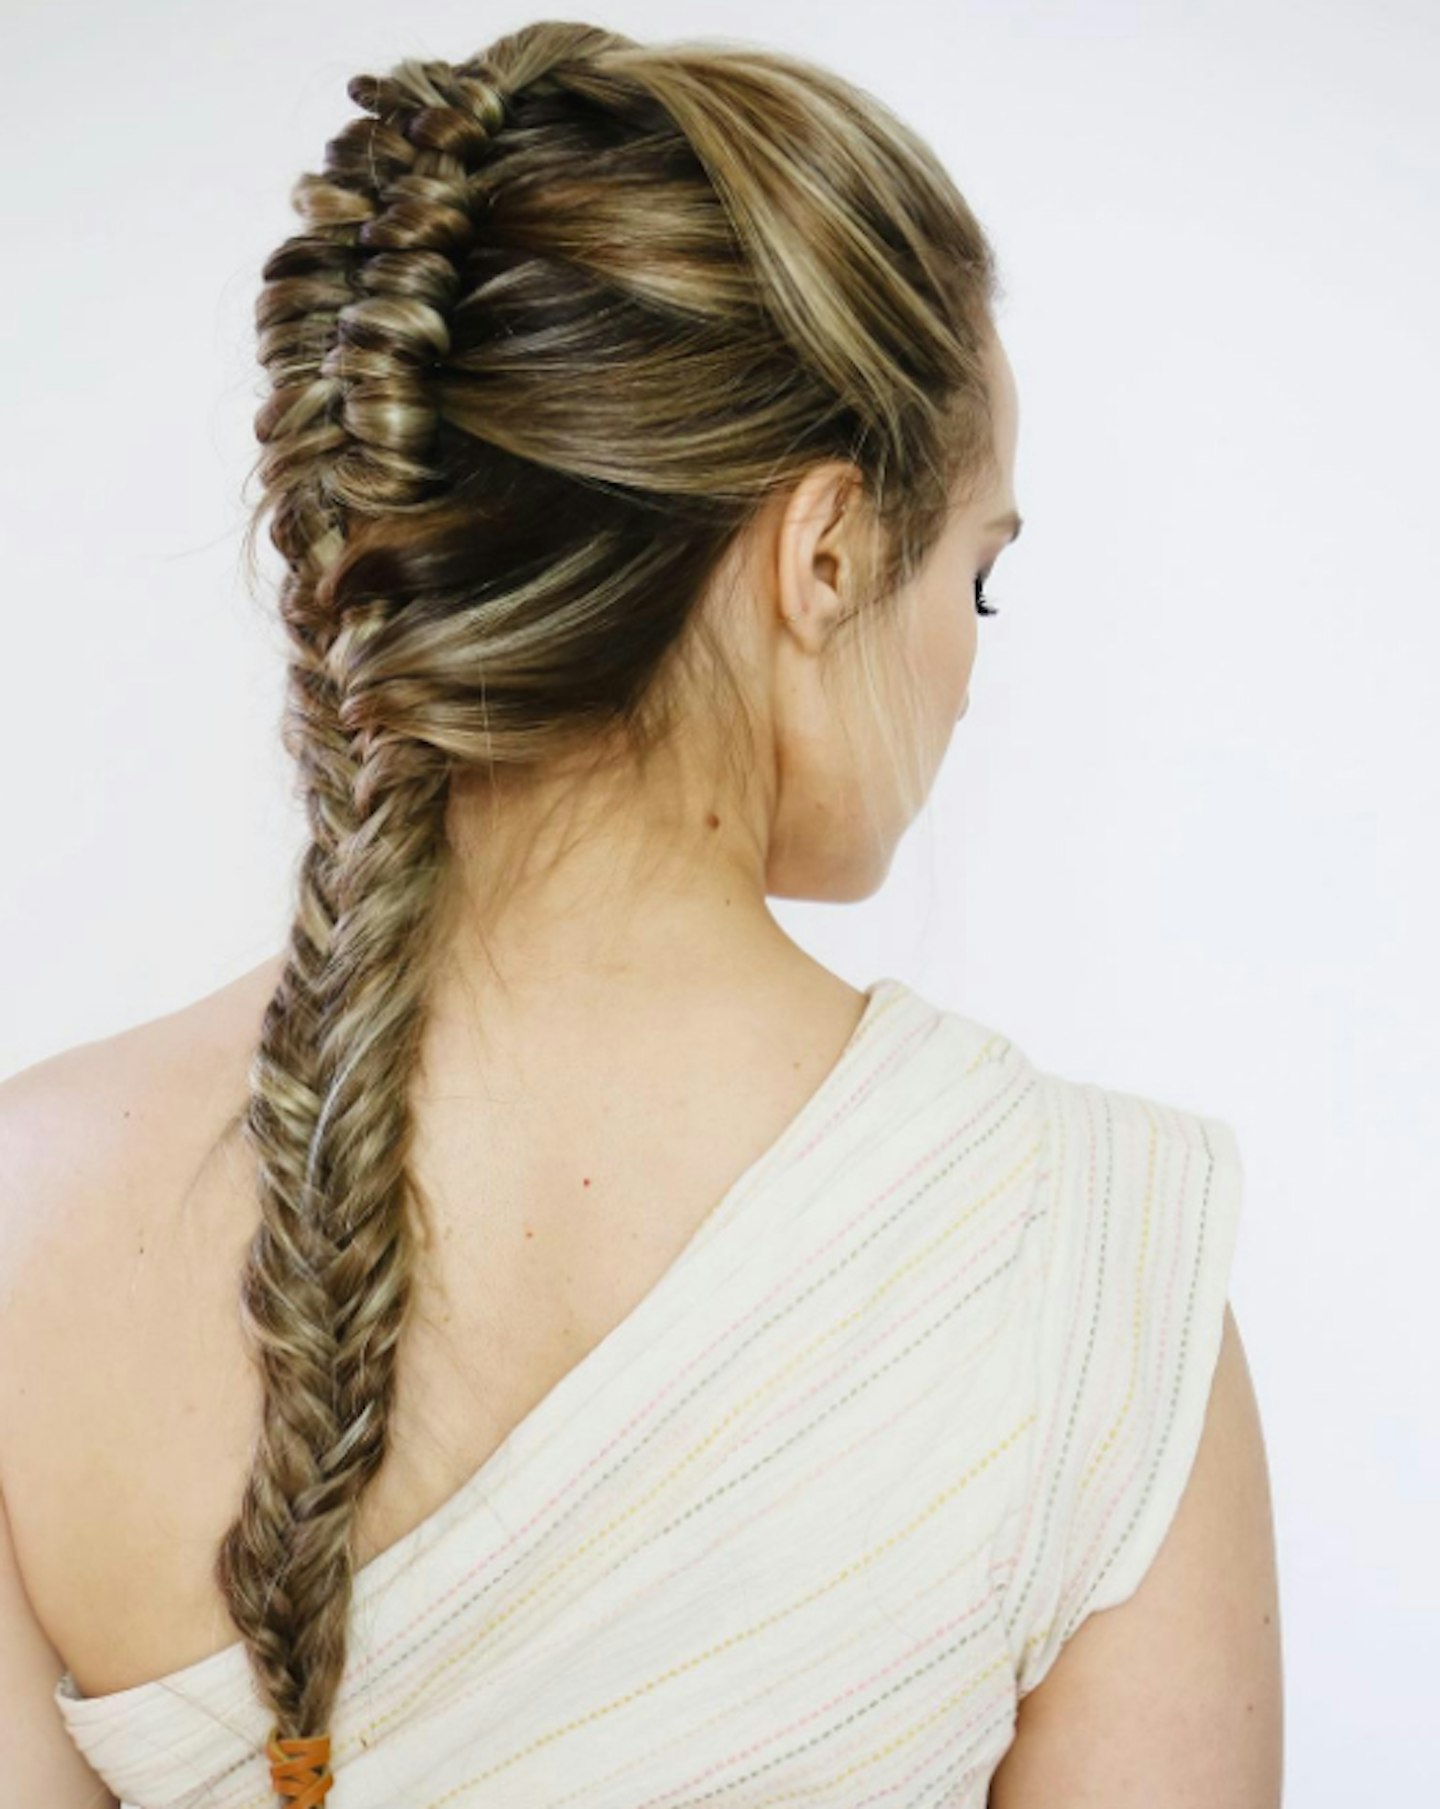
661,1370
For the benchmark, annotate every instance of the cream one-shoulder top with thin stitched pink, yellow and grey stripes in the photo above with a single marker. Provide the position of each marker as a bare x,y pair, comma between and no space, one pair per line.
918,1397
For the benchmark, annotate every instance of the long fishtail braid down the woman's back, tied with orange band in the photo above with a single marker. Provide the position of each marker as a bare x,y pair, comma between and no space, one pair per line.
352,317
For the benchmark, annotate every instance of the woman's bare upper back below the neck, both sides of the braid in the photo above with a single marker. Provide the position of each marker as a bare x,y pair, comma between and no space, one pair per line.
128,1397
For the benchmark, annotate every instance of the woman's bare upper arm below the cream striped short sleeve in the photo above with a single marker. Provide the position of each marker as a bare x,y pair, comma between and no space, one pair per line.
1175,1698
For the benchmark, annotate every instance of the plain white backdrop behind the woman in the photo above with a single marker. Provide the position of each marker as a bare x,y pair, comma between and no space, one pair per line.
1186,837
